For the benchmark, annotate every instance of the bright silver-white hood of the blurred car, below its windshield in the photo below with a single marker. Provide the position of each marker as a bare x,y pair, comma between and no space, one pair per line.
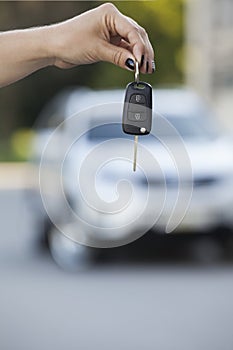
203,159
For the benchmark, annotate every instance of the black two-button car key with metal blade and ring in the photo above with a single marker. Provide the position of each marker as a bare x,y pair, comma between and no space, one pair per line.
137,112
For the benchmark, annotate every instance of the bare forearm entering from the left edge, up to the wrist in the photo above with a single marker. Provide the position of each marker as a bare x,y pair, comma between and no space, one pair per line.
23,52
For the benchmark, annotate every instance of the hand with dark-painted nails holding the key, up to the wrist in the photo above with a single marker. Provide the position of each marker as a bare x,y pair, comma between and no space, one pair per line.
101,34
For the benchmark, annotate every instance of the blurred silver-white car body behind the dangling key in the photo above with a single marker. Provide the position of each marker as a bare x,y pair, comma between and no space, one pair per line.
186,163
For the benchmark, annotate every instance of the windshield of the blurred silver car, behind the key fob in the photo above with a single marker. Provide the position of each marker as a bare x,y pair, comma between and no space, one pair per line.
163,127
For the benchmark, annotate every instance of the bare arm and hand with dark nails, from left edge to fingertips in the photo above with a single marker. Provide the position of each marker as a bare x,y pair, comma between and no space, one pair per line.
101,34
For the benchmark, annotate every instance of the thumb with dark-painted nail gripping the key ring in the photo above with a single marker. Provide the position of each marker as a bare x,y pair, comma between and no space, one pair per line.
118,56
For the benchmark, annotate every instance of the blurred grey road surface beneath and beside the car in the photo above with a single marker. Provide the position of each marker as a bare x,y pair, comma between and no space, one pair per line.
165,304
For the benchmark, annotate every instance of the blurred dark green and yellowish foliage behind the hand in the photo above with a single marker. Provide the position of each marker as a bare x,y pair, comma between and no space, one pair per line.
21,102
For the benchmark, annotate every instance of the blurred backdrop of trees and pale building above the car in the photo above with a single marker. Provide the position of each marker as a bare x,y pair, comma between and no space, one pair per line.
186,52
